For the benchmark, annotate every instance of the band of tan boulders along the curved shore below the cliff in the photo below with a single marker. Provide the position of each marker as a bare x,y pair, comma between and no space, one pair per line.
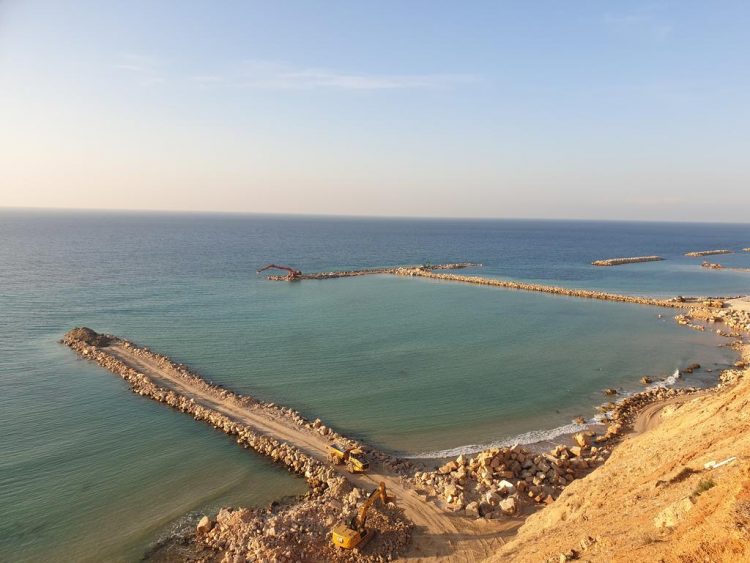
511,480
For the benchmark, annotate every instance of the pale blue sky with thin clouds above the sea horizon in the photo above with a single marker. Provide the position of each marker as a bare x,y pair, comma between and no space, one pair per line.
548,109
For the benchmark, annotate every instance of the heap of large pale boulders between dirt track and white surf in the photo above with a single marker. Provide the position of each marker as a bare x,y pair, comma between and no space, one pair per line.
500,481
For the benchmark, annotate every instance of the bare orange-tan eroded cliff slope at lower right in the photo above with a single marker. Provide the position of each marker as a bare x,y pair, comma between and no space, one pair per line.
657,497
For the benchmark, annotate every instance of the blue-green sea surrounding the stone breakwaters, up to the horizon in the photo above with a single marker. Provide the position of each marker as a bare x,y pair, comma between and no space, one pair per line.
421,368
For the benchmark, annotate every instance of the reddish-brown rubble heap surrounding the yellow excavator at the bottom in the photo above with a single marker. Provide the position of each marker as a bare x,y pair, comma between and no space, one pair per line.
301,532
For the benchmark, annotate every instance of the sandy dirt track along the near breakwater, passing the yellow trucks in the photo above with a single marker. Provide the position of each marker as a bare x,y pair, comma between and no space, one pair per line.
438,536
